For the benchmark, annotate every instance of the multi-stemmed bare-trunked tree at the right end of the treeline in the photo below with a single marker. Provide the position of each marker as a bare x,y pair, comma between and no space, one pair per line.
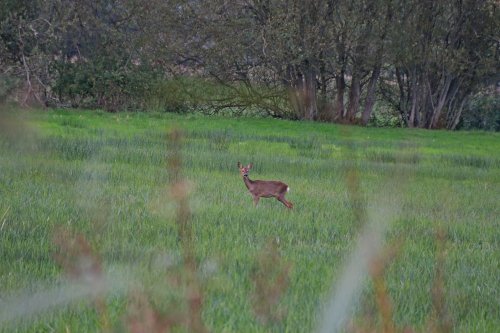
449,51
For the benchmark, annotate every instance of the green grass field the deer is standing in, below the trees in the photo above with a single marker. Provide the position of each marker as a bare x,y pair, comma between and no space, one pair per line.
106,178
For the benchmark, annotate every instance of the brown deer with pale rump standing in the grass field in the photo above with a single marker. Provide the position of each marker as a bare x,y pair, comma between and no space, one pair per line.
264,188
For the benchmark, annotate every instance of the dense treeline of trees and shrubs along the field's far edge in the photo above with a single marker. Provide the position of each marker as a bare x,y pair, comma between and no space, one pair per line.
426,62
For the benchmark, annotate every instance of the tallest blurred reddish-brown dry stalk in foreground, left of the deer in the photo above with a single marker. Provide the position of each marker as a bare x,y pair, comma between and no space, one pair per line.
143,317
